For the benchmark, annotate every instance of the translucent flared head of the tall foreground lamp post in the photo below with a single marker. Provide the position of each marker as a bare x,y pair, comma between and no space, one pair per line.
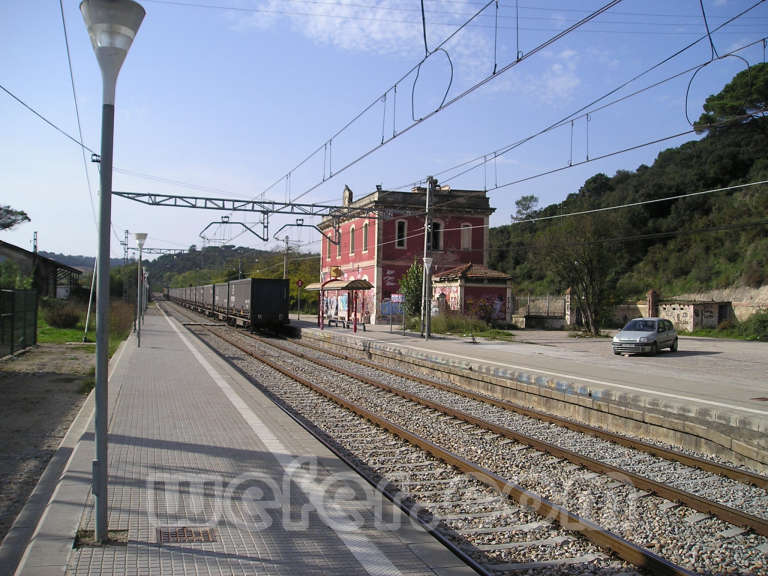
112,26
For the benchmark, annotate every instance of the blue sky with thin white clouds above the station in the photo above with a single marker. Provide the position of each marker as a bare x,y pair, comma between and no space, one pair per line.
230,98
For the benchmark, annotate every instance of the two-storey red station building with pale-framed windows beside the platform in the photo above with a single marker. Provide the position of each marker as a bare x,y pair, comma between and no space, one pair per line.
383,242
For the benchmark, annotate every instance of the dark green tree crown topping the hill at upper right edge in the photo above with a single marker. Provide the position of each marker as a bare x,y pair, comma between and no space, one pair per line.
746,94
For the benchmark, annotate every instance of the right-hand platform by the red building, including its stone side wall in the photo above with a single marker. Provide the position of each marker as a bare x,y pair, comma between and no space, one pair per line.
710,396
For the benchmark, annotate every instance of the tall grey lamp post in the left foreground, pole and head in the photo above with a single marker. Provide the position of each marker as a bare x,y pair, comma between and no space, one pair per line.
112,26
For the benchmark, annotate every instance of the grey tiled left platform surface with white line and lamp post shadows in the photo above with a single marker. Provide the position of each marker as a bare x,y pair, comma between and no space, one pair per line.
194,444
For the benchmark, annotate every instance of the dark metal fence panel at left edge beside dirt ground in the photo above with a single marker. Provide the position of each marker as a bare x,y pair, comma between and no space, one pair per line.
18,320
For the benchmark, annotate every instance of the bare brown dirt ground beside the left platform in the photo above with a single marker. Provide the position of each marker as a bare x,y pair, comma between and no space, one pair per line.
41,392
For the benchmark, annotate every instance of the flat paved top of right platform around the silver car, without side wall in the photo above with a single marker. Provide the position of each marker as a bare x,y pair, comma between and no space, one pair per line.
724,375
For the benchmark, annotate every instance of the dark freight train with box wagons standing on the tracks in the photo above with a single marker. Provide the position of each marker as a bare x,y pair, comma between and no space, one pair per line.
254,303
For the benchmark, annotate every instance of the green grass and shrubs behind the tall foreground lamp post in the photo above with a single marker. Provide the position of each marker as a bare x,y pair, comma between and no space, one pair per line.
121,324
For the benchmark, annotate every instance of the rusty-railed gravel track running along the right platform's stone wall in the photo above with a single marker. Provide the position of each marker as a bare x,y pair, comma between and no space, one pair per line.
690,484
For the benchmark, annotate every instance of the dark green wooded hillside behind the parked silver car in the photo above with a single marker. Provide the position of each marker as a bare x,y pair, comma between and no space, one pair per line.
678,246
